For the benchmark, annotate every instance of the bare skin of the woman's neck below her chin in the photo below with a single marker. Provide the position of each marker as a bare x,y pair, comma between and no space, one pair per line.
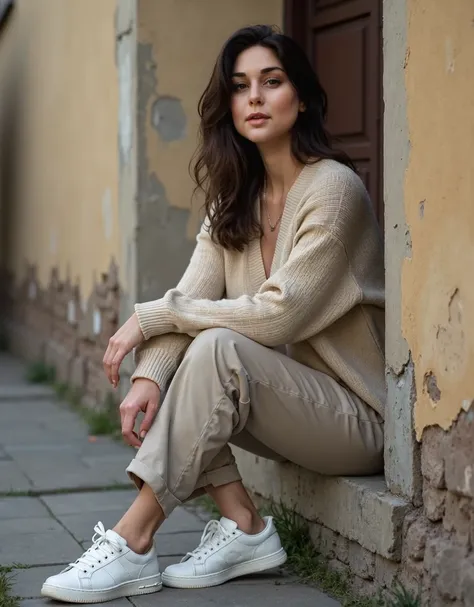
281,168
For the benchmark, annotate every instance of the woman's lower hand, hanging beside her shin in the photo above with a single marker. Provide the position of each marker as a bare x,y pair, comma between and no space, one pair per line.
144,395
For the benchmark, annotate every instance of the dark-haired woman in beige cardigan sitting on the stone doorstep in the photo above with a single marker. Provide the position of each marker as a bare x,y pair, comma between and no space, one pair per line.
272,340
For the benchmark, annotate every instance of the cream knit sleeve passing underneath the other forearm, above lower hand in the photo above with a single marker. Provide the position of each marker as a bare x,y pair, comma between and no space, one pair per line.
159,356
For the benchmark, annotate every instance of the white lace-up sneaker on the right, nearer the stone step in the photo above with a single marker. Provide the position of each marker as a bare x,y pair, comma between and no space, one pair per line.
224,553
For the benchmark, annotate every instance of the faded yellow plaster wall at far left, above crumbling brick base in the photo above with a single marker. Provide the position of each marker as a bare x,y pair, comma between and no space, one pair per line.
62,56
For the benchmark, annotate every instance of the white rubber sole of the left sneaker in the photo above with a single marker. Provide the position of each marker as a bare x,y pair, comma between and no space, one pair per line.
137,587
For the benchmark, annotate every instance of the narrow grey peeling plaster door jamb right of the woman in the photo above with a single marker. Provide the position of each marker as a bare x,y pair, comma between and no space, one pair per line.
402,452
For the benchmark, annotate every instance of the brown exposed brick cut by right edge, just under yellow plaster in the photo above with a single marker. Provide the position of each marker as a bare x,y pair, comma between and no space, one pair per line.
460,463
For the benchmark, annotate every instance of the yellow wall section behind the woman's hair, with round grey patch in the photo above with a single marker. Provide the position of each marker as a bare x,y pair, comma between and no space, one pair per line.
186,36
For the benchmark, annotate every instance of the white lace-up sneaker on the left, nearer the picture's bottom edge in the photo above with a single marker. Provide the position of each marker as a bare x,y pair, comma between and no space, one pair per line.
107,570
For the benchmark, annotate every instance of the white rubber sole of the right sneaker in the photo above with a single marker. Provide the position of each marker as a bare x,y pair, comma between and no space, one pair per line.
215,579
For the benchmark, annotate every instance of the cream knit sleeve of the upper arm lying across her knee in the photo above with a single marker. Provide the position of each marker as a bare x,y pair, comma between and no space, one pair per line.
308,293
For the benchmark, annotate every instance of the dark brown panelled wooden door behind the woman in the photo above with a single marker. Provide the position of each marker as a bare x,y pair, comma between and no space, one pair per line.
343,39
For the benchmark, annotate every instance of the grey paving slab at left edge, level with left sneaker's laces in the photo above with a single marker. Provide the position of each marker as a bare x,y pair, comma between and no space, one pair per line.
38,548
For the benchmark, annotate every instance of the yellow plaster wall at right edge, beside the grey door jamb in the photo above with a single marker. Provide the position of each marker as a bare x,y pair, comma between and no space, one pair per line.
437,282
